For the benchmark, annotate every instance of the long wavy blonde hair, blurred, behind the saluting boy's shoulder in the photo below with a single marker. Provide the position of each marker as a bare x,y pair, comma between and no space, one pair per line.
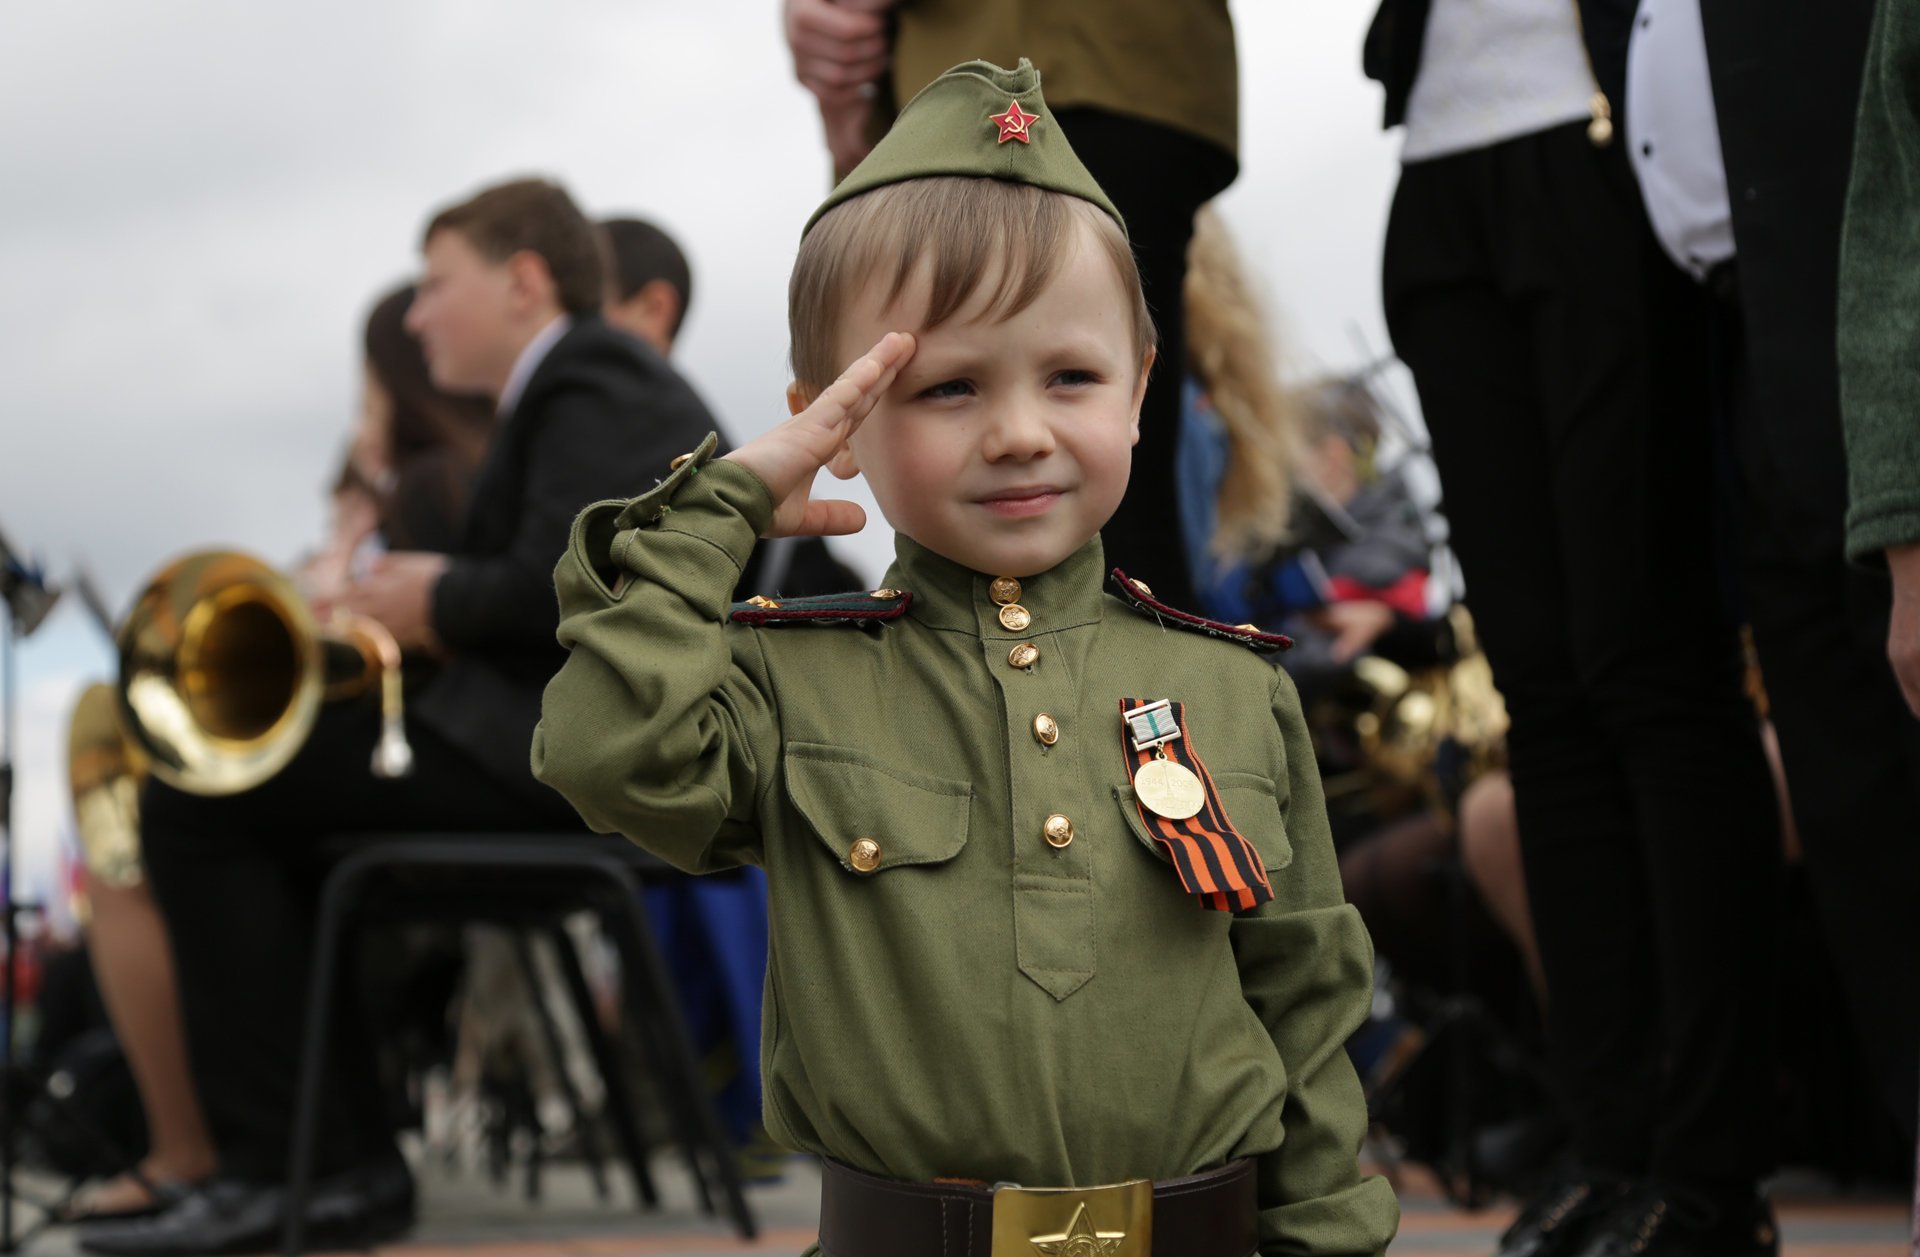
1230,350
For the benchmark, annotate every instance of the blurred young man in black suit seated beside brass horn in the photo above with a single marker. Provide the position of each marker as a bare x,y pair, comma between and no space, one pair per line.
510,306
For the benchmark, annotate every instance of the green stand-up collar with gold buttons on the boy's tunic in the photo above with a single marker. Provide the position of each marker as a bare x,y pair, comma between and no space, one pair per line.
955,598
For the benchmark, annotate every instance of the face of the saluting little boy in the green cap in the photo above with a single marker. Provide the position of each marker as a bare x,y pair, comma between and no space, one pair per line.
1005,444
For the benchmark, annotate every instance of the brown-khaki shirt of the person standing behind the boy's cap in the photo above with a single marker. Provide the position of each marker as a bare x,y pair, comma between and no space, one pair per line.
1170,62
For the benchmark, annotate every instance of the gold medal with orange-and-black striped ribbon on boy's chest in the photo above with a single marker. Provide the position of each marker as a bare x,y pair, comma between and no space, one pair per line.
1182,809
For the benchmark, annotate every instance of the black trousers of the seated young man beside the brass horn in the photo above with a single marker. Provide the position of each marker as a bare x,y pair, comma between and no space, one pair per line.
239,878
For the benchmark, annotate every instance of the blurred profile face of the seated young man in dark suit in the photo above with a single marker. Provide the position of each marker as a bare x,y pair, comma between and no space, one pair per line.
464,316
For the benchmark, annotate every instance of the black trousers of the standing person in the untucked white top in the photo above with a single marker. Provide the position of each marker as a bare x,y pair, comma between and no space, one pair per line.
1560,366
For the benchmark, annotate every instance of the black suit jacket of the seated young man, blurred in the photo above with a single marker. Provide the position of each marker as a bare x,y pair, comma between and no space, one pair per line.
602,417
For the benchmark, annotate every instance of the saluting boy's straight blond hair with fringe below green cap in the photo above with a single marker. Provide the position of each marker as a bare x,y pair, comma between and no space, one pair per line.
965,231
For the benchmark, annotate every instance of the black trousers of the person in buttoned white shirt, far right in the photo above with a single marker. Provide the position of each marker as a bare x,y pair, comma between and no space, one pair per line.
1850,746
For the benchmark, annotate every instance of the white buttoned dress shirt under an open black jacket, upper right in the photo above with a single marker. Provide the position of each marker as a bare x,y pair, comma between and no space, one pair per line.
1673,135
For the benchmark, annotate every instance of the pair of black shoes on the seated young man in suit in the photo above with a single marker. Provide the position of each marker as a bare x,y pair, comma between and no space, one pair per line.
354,1210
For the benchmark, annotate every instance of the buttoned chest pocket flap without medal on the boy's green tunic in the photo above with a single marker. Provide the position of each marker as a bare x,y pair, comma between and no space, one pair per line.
875,818
